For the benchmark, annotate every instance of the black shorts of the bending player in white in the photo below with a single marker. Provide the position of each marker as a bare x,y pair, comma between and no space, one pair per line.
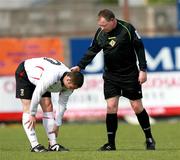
24,88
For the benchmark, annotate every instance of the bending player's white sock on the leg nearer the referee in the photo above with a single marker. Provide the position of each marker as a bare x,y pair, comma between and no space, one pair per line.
48,123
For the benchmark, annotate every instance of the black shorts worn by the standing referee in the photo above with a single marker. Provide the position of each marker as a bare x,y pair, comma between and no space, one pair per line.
130,90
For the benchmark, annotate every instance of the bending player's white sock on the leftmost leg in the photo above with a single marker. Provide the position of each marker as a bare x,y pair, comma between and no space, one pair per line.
29,132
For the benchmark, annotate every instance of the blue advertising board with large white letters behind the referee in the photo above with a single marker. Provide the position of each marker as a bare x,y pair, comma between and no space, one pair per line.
162,53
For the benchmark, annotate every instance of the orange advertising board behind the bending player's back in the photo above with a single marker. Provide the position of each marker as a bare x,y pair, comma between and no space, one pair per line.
15,50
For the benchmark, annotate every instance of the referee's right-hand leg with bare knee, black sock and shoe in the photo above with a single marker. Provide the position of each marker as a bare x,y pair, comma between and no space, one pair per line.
144,122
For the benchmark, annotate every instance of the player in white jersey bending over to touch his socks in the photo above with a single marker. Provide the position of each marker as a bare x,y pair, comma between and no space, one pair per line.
36,78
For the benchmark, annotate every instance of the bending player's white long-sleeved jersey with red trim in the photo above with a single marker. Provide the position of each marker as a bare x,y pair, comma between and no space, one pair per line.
45,74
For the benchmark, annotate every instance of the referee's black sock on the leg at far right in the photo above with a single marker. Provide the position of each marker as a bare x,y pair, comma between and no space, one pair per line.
143,119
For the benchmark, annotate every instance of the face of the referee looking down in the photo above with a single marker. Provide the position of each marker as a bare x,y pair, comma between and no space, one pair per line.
105,25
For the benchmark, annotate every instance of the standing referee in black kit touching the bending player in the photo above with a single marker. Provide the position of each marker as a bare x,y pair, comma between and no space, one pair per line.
122,48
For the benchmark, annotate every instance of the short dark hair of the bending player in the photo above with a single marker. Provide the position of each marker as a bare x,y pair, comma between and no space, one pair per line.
77,78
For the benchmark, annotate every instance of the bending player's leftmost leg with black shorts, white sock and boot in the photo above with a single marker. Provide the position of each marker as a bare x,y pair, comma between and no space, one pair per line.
24,91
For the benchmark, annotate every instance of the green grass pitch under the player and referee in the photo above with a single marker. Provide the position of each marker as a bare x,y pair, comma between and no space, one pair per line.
83,139
